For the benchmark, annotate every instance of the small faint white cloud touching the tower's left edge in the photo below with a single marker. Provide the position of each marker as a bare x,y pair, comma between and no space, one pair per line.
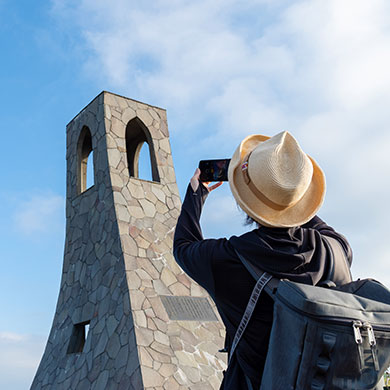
40,214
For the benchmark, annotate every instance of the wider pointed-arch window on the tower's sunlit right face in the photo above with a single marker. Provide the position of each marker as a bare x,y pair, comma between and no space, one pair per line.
141,158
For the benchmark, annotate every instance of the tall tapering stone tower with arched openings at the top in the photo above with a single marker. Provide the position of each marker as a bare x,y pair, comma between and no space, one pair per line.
127,316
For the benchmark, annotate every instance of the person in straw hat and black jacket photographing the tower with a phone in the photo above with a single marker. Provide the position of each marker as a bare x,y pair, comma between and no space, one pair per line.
281,189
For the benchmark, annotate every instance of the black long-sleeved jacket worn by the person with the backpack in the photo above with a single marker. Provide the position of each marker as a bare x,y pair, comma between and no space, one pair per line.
297,254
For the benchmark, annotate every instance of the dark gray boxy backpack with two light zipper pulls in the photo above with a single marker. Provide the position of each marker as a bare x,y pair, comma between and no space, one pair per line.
323,338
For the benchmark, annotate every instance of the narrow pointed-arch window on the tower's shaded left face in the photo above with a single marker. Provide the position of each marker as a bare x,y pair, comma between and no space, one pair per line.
85,174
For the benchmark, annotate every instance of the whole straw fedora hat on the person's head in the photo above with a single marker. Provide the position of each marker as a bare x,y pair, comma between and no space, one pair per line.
275,182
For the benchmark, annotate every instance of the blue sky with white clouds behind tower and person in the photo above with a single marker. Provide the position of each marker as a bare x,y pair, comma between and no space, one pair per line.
223,70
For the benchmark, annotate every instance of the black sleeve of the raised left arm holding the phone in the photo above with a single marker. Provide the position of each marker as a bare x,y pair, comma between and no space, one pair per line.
194,254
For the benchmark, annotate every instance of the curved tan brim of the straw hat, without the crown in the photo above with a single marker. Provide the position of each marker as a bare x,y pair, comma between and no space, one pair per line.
295,215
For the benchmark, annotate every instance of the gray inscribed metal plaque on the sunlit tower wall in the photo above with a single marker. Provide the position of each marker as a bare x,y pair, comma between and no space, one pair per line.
188,308
